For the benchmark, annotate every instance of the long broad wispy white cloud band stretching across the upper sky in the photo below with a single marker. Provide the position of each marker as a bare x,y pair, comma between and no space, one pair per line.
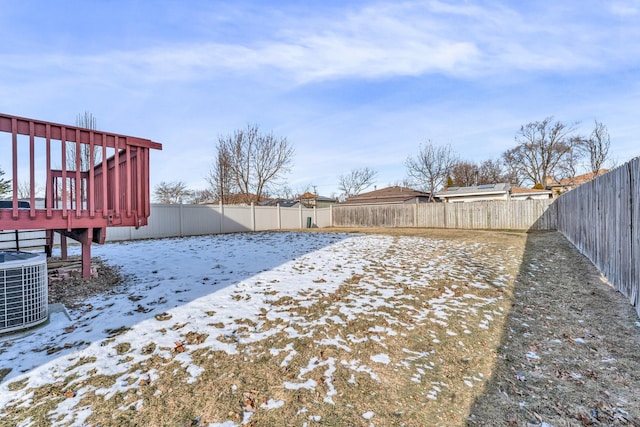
379,41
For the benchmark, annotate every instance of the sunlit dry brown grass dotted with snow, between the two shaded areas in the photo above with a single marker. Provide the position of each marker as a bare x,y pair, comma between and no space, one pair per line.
436,373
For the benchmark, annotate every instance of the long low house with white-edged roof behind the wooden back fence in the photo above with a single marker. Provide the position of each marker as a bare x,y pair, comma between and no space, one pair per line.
489,192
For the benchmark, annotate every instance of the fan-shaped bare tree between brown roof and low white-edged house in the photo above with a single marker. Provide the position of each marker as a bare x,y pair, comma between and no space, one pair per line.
431,166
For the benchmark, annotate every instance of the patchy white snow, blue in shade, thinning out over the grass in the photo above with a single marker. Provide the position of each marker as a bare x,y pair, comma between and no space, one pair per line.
210,282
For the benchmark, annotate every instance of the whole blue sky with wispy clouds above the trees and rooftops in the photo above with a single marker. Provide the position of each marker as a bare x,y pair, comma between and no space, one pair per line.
350,84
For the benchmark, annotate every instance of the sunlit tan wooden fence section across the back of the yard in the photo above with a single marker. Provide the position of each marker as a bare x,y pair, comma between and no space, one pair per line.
490,215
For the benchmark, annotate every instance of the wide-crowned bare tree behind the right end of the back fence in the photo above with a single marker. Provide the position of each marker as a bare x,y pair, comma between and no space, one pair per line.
542,147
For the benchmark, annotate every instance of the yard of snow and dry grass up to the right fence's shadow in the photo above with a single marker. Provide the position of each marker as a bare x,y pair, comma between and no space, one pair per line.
272,329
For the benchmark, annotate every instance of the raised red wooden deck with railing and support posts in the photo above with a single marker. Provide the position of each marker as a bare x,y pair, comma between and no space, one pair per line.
82,197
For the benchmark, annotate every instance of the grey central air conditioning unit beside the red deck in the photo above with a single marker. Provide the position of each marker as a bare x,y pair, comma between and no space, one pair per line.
24,290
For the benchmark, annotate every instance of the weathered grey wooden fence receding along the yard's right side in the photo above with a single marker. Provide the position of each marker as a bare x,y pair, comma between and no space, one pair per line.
601,218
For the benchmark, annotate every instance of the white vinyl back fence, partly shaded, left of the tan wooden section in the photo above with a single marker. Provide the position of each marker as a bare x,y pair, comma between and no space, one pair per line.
194,220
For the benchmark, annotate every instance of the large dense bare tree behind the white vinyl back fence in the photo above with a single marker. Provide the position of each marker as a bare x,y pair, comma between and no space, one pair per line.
252,161
